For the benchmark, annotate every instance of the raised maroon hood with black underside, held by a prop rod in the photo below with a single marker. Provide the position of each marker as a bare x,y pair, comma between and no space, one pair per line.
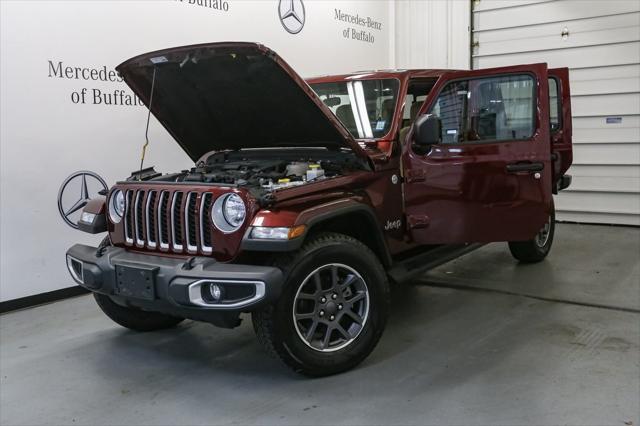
220,96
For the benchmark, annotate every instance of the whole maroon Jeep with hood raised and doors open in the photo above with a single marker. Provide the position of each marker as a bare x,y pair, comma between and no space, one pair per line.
308,198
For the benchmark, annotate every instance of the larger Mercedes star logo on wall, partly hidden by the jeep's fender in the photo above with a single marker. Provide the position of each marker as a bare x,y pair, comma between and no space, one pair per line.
75,192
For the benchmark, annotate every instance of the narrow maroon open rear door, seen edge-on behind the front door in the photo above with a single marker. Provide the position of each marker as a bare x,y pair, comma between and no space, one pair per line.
560,121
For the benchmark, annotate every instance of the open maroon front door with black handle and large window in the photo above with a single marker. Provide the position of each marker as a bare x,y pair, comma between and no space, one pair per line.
489,178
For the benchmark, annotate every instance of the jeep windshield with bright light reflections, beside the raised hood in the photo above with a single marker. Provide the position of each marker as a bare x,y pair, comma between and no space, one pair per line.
365,107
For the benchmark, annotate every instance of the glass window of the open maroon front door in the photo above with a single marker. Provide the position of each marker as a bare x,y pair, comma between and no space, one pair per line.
487,109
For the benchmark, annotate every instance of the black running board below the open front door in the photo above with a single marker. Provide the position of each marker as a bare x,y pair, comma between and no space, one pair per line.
410,268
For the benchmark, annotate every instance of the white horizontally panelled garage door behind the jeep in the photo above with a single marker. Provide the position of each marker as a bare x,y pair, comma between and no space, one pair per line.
600,43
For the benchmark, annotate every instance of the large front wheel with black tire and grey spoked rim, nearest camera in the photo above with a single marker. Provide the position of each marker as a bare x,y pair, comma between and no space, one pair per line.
333,308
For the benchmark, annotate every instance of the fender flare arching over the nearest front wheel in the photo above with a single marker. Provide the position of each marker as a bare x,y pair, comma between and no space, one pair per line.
313,218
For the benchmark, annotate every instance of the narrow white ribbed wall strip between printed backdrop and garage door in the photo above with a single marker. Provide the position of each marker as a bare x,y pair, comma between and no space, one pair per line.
432,34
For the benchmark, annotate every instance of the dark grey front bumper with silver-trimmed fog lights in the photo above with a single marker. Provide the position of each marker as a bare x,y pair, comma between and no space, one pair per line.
174,286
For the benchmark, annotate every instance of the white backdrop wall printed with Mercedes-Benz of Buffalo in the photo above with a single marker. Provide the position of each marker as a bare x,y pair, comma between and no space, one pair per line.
45,135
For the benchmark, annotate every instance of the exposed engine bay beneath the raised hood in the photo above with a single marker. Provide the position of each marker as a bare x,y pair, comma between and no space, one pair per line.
267,170
